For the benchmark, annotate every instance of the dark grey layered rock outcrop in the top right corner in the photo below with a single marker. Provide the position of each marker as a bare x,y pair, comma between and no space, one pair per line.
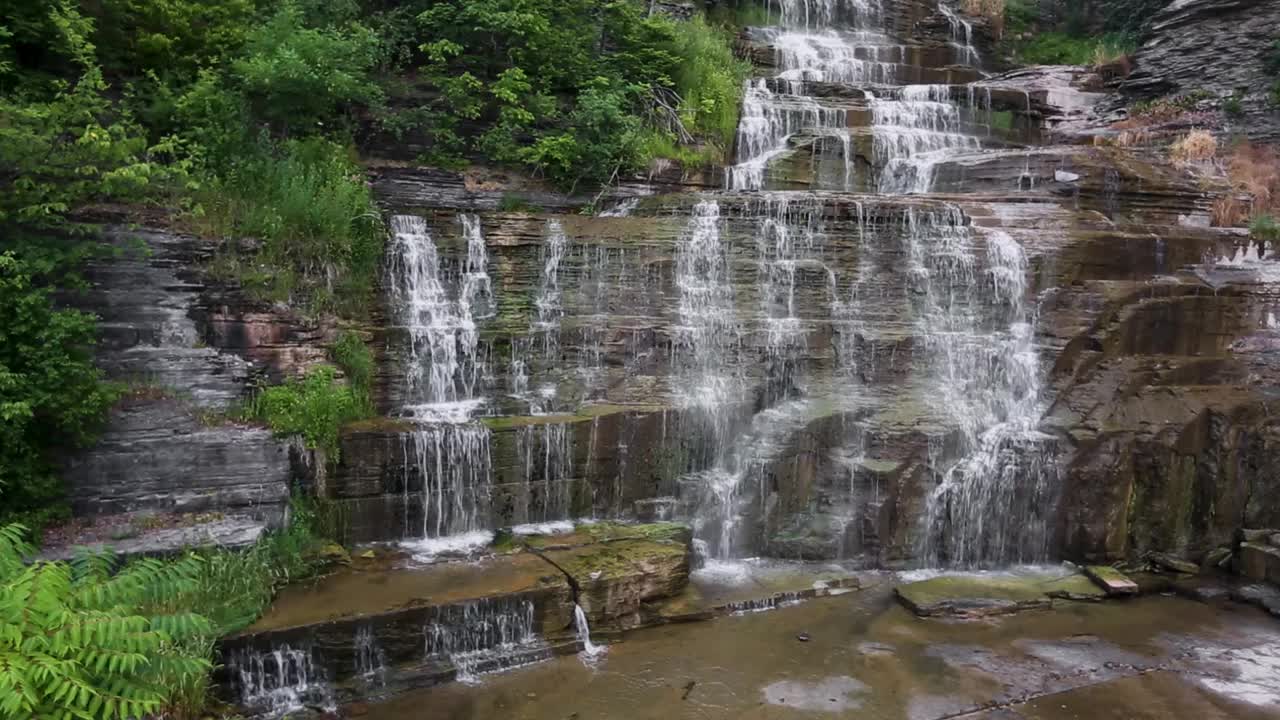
1217,47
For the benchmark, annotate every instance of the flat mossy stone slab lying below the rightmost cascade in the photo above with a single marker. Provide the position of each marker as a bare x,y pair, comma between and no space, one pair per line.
977,596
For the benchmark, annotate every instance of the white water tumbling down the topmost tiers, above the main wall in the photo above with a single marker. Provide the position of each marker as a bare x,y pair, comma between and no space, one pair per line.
844,43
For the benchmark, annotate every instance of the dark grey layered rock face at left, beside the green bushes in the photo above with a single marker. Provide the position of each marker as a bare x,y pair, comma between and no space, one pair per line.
186,356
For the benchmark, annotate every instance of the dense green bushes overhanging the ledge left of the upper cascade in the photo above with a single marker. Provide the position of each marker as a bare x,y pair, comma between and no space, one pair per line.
566,88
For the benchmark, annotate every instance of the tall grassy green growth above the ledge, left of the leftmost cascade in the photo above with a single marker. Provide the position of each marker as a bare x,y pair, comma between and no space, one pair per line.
322,236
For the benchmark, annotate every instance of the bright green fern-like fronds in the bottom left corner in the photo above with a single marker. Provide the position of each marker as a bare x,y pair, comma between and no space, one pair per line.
80,642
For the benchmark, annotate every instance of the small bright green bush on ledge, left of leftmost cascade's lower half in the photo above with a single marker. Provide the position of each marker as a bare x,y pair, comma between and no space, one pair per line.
314,408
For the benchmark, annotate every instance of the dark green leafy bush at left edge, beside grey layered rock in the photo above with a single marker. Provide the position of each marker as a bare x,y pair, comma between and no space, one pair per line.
52,397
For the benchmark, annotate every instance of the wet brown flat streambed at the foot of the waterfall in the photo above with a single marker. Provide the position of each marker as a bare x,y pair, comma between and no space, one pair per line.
867,655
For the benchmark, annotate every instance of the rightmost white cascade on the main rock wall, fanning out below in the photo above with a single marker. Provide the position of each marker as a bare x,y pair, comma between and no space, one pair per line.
991,507
